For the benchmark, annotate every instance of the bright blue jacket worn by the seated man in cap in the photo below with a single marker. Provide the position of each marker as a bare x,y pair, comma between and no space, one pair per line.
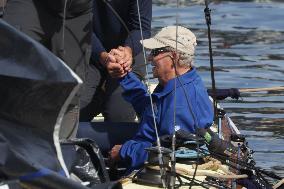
163,98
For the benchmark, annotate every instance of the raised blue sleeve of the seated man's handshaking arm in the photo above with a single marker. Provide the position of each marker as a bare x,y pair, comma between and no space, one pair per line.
135,92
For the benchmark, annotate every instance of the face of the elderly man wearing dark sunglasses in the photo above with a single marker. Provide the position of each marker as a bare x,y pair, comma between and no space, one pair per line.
162,62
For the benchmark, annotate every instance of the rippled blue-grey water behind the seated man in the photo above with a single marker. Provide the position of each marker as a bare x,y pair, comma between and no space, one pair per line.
248,52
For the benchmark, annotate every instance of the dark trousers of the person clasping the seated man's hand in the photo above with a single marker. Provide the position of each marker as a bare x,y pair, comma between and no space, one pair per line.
107,98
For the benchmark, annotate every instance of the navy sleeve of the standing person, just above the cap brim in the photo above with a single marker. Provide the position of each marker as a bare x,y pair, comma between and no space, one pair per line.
133,39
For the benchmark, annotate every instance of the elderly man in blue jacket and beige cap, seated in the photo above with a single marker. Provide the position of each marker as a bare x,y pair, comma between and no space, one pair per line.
192,106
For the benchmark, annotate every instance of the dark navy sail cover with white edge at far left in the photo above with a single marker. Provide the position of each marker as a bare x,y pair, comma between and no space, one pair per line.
35,89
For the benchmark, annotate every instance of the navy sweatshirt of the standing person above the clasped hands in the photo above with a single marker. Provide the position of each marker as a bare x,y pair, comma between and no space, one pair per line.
108,30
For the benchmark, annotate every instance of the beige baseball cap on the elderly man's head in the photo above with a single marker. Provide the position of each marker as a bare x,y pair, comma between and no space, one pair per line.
186,40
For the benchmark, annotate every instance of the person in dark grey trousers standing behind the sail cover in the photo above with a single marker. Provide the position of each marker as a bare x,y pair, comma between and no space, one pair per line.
63,27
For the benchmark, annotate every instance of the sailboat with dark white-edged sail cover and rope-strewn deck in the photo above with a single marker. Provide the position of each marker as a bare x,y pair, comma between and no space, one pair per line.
31,155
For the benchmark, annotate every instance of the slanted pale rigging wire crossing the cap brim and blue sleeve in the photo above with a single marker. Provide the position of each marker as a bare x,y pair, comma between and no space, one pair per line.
160,155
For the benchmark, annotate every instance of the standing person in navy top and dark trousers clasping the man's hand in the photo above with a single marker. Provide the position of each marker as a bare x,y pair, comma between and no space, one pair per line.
116,29
